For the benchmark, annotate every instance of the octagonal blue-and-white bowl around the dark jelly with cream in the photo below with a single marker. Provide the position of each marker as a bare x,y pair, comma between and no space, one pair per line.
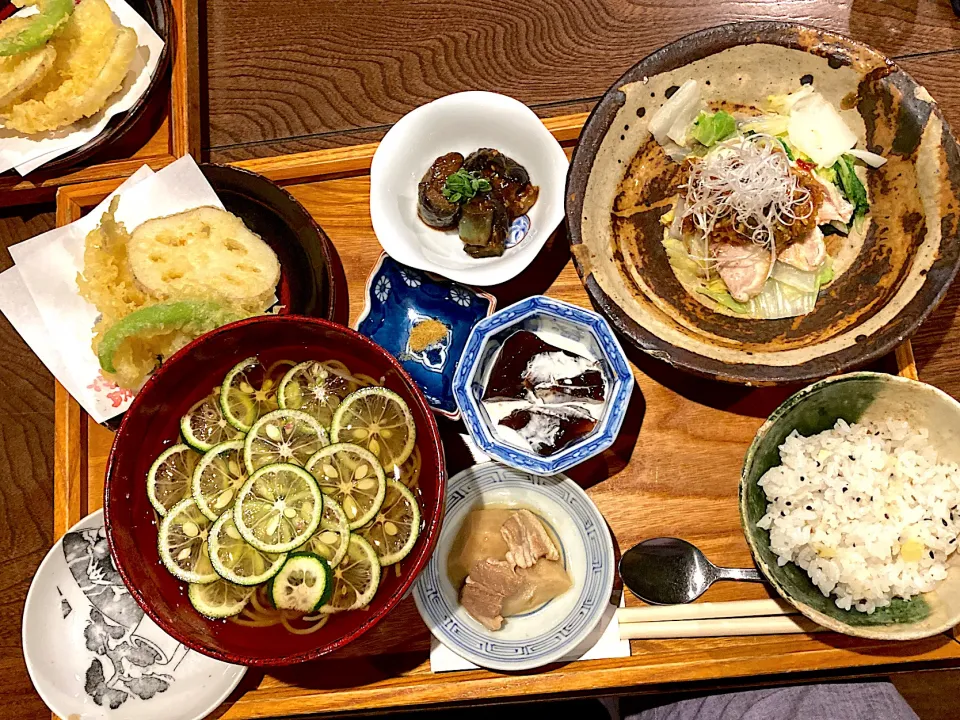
540,313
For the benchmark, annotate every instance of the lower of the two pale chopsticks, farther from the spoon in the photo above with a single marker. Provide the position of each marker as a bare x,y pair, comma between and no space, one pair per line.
770,625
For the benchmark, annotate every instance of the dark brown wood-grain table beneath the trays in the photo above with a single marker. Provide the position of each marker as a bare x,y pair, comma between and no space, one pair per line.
339,72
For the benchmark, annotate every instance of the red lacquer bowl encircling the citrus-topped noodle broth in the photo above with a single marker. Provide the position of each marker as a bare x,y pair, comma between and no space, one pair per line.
152,424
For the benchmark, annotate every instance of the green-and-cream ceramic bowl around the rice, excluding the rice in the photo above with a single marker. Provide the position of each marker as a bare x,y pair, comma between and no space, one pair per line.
855,397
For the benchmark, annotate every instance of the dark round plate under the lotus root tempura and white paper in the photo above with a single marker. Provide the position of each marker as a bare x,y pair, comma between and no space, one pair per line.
312,280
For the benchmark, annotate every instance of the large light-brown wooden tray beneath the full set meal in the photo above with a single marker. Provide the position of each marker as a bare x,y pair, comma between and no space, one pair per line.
673,472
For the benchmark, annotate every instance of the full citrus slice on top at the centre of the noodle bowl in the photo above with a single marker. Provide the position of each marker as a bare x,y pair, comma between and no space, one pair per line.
278,508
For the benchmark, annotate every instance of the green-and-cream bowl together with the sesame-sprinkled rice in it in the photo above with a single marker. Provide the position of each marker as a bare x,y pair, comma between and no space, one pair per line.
862,398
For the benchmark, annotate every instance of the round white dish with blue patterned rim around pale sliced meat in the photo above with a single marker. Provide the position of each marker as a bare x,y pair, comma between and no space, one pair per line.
554,631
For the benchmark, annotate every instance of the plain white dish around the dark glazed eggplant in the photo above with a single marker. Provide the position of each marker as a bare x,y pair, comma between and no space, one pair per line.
463,122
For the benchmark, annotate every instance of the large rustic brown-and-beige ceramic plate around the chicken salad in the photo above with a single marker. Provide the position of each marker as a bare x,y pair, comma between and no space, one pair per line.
621,183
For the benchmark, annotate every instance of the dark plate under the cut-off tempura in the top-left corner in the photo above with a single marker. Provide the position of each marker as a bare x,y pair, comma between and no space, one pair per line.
127,131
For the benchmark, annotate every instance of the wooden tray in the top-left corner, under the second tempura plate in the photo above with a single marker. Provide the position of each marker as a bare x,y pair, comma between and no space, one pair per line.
178,134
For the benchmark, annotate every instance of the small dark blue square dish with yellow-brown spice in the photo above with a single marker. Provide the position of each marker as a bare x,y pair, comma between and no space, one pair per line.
424,321
